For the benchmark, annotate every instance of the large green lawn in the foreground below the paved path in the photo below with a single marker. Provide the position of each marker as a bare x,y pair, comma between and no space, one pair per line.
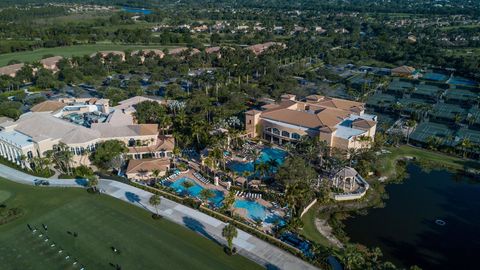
101,222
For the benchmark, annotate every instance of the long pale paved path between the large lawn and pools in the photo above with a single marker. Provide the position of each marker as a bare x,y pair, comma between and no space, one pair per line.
248,245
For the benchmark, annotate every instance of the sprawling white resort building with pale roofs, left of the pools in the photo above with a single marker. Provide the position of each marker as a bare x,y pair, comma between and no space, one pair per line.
81,124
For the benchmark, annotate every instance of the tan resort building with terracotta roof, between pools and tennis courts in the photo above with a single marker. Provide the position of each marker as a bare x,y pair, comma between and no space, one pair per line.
341,123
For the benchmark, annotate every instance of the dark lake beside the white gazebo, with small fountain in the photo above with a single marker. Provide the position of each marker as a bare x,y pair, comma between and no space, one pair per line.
406,229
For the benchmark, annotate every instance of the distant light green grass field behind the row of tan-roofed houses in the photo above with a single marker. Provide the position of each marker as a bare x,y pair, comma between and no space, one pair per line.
76,50
